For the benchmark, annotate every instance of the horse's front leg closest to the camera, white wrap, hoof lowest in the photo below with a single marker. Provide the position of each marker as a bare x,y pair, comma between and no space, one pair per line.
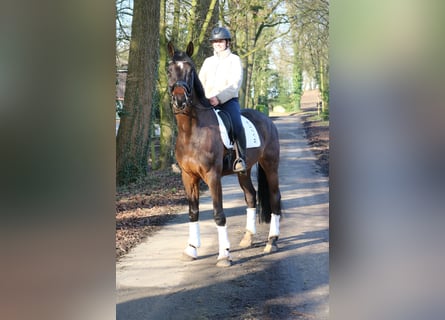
224,257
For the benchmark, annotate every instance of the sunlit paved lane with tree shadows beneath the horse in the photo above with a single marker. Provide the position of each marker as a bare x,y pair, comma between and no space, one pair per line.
153,283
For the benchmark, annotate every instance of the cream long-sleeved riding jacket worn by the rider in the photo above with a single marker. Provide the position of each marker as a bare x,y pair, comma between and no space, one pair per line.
221,75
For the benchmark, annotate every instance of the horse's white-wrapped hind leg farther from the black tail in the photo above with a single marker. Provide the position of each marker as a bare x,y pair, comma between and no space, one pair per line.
250,197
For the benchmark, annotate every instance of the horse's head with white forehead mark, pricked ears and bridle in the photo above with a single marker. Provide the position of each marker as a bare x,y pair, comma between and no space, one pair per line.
180,73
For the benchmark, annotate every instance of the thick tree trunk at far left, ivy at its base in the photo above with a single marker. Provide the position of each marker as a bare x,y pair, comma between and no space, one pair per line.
133,135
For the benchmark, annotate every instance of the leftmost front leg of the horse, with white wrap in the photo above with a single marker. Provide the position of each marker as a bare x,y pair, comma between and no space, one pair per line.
191,185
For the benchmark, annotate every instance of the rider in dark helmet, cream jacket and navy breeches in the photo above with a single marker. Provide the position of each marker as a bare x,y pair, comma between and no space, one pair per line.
221,76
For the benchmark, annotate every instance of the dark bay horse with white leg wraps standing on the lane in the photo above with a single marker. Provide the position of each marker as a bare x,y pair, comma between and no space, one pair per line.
201,155
